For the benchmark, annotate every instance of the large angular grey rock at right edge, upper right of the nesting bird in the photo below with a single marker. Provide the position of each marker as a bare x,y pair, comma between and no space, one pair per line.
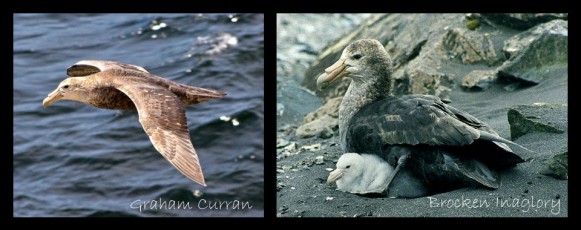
534,54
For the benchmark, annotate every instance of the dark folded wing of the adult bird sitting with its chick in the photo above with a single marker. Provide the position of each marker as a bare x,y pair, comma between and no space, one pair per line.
419,119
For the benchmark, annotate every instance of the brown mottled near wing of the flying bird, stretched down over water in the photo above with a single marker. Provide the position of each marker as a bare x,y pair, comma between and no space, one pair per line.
162,115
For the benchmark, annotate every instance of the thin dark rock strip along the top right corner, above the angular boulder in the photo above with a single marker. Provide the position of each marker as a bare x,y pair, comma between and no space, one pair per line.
522,21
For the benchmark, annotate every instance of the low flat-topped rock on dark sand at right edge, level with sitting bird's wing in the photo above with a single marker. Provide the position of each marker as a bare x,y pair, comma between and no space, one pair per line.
539,117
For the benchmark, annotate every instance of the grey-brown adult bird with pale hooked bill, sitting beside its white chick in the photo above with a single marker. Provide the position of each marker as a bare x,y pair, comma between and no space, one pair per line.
444,147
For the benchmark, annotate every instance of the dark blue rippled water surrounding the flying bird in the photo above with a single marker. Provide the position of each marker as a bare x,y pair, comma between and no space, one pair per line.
72,159
